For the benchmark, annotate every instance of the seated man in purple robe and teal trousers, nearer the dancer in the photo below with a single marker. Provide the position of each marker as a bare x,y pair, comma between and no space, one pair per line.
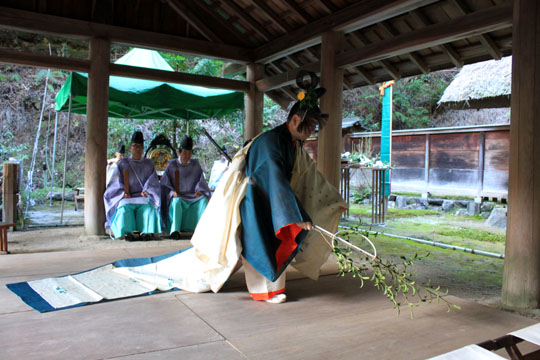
185,191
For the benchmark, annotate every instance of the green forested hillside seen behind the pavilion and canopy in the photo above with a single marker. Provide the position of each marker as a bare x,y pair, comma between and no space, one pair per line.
28,95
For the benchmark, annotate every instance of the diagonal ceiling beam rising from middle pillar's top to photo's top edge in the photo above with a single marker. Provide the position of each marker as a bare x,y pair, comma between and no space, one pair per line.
359,15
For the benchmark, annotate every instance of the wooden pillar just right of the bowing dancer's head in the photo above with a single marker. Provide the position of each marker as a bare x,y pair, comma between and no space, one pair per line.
329,141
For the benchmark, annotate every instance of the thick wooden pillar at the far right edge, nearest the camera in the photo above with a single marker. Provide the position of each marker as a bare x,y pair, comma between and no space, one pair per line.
521,281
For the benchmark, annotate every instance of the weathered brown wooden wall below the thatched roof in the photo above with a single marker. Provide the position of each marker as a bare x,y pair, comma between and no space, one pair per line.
470,160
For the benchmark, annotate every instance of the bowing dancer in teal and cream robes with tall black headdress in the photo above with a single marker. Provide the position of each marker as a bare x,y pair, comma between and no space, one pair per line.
262,210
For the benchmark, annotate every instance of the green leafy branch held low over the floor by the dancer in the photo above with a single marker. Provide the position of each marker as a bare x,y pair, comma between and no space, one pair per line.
394,279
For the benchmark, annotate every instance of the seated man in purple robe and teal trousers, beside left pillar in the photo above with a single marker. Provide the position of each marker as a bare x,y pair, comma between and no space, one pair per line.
132,197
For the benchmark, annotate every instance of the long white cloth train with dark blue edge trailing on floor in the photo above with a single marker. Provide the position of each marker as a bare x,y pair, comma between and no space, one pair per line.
120,279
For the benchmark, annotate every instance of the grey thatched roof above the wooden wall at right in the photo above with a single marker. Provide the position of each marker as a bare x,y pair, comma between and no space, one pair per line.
485,84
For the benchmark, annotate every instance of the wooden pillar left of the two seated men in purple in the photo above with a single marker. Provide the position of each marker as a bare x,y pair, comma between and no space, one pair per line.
96,137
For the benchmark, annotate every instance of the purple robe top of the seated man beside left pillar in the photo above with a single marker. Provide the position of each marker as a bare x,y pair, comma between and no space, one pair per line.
142,177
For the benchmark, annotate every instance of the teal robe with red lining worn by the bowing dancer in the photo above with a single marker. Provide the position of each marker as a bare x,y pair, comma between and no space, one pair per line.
270,209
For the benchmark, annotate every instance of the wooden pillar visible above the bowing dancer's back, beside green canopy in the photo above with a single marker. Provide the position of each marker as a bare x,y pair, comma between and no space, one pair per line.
254,103
